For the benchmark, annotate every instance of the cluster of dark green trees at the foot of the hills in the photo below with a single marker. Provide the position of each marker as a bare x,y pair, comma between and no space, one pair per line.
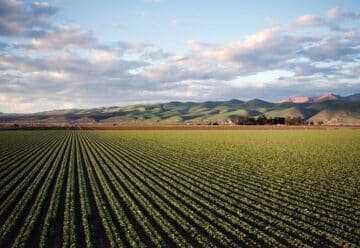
263,120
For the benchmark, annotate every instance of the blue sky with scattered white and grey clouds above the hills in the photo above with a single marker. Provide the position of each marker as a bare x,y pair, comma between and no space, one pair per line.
82,54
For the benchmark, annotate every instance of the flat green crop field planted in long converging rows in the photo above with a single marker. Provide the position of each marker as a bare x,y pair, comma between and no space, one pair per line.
209,188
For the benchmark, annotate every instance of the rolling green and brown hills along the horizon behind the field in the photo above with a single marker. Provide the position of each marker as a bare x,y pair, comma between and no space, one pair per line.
329,109
